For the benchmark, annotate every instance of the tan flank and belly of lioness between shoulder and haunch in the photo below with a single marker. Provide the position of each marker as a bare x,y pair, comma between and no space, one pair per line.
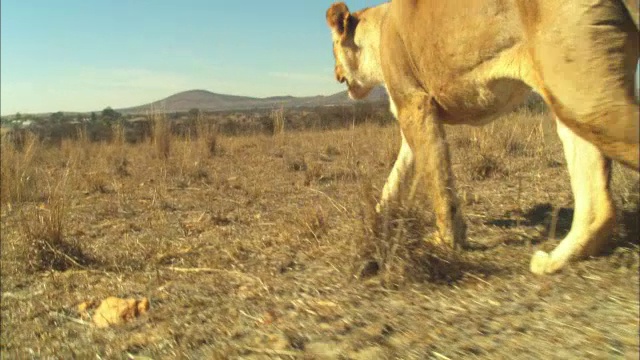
469,61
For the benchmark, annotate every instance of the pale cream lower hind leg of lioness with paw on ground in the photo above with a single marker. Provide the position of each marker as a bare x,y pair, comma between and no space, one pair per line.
594,211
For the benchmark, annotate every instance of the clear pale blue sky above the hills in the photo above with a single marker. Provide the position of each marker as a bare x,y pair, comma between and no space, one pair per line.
83,55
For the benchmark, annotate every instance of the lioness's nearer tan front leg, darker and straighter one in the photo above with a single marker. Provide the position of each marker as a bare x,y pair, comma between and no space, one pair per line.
425,136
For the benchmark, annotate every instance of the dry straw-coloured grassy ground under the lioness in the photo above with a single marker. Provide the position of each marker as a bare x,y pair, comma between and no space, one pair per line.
263,247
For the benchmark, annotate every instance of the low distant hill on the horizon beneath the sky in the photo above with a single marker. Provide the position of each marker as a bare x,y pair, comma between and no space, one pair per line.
210,101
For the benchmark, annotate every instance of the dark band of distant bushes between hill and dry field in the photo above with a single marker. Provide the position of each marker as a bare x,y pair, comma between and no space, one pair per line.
98,127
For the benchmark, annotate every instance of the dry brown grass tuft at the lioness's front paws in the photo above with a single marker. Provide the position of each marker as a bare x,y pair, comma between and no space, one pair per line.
395,243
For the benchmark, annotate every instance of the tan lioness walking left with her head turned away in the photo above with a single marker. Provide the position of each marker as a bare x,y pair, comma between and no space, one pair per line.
464,62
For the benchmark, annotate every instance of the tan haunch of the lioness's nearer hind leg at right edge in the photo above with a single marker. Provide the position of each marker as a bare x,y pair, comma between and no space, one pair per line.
586,67
